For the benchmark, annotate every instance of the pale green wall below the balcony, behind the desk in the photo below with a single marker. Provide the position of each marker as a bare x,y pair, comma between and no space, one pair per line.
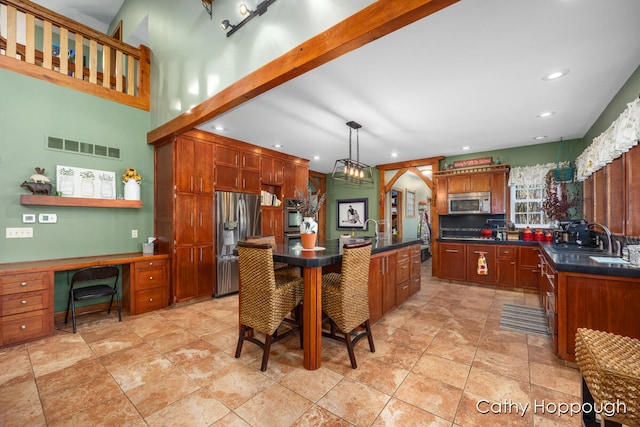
30,110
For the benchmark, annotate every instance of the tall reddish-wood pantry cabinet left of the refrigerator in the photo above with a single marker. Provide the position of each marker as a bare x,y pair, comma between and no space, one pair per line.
184,213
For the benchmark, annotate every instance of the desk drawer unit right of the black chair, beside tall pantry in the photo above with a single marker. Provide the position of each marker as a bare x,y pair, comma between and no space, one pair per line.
145,286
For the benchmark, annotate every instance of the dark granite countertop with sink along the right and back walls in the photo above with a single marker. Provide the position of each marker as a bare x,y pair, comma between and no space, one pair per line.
573,259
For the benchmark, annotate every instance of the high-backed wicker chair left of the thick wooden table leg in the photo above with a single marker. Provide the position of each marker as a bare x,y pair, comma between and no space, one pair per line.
266,299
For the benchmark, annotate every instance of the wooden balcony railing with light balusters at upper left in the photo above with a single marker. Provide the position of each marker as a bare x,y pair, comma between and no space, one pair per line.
43,44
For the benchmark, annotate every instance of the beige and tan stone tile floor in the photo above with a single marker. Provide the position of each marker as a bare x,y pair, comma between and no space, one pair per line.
437,356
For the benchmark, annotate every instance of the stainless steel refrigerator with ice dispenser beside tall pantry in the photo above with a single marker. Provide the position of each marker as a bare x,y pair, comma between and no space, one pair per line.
237,216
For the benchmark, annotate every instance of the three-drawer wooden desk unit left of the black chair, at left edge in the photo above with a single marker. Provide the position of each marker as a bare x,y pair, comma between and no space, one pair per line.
26,307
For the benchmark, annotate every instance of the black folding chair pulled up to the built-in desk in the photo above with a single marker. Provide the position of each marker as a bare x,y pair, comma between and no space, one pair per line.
93,283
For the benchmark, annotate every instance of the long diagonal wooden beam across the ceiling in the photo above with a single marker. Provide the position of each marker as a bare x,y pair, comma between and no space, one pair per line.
371,23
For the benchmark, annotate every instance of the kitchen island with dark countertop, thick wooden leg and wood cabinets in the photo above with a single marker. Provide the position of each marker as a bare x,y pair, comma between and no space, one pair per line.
330,256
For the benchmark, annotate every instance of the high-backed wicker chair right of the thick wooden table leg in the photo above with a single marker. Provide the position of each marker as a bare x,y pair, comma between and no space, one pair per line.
345,298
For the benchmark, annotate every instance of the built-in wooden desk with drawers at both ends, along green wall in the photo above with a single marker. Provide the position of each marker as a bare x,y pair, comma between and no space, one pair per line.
26,290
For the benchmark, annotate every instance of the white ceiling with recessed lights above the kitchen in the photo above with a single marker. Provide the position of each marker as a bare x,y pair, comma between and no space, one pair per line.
469,75
